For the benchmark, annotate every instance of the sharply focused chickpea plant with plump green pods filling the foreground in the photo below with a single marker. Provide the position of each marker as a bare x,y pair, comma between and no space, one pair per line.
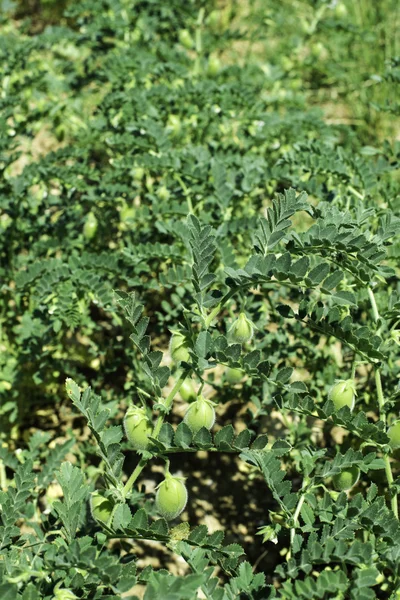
338,528
